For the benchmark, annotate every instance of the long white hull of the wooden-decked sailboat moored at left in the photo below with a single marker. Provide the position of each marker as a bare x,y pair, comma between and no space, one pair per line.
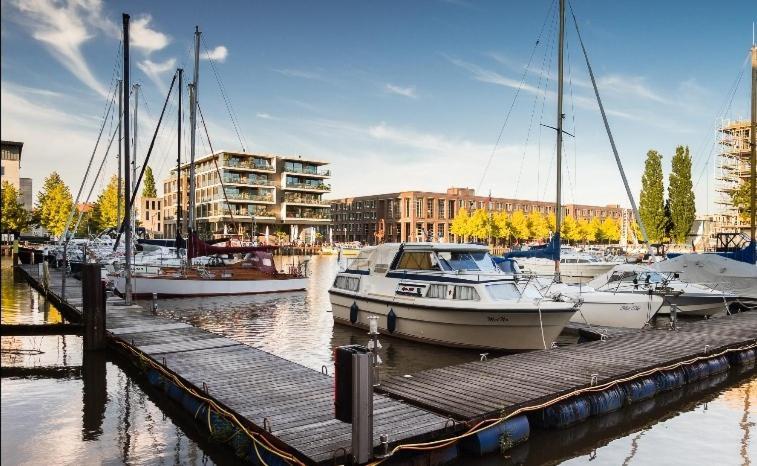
145,286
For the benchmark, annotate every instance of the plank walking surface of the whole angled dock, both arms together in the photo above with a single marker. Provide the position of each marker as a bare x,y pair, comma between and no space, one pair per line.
293,405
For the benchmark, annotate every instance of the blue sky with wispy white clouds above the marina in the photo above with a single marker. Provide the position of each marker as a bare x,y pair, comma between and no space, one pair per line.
395,95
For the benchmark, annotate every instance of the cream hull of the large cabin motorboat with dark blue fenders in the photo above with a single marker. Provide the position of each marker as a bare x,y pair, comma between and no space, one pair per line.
508,330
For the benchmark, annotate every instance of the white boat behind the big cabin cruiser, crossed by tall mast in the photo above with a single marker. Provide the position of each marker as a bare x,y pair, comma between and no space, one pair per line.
575,267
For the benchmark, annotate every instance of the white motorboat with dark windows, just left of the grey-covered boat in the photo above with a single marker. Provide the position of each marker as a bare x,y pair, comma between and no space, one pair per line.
641,280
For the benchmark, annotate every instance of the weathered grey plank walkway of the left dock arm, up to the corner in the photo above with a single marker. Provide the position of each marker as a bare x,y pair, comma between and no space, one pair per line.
292,403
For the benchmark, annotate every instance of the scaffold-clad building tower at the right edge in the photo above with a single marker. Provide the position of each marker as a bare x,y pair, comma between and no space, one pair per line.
733,170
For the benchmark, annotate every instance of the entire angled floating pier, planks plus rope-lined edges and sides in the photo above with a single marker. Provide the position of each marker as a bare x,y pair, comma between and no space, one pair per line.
274,411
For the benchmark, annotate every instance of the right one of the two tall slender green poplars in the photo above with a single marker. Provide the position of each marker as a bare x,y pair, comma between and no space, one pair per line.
681,195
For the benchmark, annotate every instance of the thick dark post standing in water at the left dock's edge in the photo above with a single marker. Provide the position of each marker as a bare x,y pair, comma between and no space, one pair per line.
93,300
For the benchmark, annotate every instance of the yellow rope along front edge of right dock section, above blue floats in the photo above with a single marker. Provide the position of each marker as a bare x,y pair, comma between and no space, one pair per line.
488,423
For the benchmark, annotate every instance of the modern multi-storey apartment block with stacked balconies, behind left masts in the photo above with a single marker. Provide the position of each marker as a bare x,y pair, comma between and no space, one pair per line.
263,193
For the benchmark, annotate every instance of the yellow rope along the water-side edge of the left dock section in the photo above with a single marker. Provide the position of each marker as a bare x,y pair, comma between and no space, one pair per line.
257,438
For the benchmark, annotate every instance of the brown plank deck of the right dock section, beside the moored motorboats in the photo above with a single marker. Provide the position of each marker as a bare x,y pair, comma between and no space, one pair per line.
503,385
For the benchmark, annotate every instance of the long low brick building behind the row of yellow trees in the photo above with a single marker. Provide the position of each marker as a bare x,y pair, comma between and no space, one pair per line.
427,216
